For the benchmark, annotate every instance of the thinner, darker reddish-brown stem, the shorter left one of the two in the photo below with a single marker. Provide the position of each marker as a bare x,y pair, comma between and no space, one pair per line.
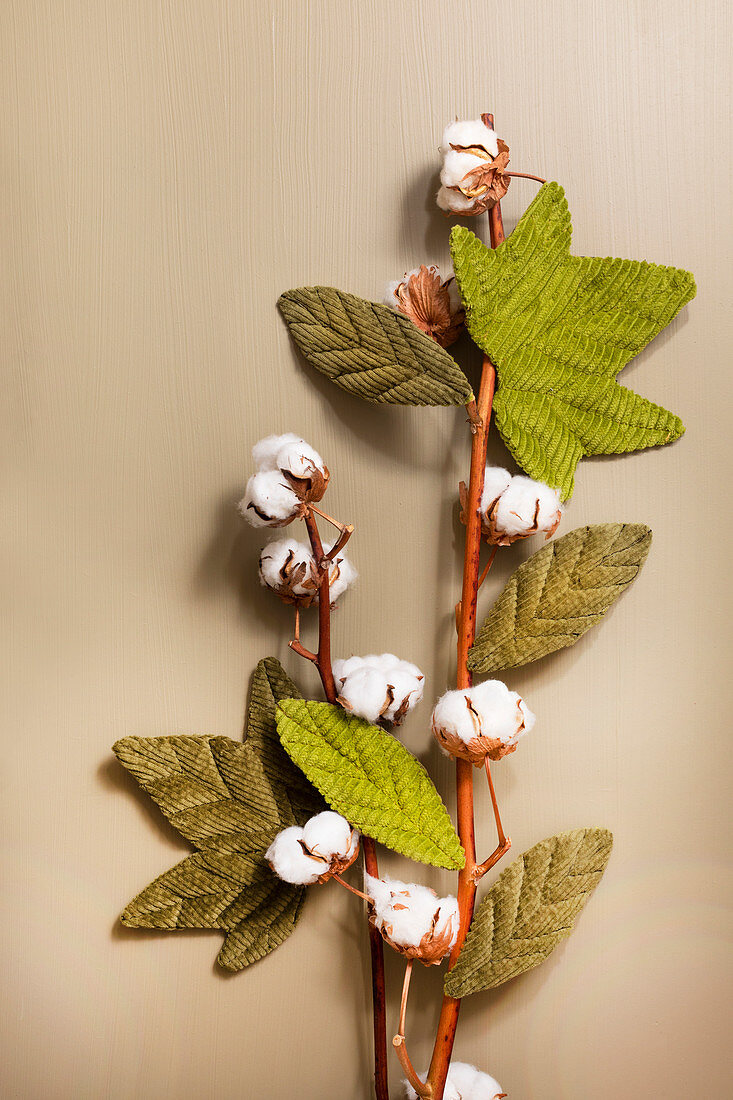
368,846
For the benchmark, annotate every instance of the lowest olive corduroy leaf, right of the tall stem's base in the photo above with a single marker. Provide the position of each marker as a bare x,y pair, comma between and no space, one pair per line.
531,908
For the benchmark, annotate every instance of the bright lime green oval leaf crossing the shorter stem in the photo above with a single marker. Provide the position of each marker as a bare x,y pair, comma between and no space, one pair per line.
371,779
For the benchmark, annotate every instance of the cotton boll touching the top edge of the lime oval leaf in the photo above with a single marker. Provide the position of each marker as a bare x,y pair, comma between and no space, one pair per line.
379,687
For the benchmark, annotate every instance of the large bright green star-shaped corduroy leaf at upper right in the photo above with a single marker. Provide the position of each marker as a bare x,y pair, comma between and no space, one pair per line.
560,329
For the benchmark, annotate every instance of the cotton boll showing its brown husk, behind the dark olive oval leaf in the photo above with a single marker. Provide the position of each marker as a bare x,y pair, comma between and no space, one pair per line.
431,303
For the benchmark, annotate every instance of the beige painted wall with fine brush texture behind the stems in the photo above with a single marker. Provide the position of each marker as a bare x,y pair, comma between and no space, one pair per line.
168,169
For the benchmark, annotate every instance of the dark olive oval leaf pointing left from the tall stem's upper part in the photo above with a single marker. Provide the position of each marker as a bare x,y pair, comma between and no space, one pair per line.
370,351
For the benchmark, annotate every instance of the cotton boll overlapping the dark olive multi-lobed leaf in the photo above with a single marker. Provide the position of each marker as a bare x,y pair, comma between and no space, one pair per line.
325,846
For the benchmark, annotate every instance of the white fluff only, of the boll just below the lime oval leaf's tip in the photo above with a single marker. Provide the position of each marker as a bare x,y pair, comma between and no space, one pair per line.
406,911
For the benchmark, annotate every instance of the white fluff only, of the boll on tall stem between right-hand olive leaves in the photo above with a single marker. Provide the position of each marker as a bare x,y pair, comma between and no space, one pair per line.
489,710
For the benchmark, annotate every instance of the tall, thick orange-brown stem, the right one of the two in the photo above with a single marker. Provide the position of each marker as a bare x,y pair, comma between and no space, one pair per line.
467,883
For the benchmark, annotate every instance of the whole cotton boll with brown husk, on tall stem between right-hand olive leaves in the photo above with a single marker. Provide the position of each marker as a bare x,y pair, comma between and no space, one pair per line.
480,722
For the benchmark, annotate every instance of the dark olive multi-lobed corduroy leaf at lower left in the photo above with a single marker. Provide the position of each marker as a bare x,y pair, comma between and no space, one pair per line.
229,801
